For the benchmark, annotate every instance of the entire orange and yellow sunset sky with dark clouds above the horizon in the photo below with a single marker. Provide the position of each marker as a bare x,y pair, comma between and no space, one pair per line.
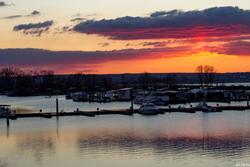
125,36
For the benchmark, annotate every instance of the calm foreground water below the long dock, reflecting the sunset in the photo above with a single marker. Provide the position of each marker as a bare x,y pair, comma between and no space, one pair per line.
175,139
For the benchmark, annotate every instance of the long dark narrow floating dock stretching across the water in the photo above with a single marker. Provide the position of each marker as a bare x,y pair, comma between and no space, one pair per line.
159,110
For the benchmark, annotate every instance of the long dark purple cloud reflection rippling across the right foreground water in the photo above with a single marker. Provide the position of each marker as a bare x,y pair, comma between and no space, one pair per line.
231,145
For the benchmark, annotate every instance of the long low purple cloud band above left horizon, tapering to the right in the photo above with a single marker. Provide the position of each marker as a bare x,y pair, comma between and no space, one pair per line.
37,58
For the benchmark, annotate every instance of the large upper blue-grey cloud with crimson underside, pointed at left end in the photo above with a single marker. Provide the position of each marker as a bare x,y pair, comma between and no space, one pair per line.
212,22
